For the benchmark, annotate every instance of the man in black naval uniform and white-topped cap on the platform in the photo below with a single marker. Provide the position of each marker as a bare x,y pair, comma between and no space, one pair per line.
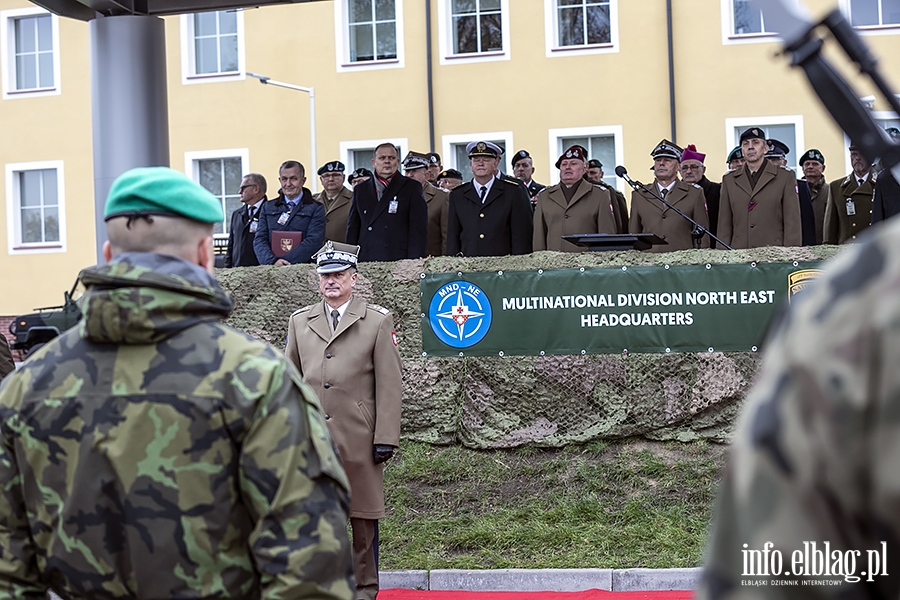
488,216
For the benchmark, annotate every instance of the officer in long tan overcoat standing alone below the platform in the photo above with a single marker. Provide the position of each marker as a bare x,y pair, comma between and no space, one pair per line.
346,350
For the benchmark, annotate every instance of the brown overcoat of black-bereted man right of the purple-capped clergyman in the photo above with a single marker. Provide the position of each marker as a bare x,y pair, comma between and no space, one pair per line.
769,215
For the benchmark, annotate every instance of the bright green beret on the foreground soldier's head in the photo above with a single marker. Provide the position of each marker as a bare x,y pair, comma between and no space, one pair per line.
161,191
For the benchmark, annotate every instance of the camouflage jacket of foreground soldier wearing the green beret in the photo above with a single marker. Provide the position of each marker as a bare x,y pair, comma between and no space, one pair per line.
153,452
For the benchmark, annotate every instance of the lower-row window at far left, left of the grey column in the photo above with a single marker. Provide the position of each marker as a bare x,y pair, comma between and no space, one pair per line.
35,206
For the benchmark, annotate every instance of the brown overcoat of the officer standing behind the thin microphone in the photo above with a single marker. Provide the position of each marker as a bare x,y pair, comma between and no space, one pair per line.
649,215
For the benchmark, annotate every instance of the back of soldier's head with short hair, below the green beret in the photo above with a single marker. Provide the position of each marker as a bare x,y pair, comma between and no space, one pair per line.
176,236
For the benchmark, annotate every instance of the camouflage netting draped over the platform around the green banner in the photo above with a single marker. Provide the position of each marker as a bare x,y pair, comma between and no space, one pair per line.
550,401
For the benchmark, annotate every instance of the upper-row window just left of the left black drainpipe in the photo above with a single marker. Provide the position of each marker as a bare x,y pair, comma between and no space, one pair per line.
372,30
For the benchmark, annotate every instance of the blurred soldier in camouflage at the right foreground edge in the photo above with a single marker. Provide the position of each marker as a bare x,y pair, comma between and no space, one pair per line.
816,458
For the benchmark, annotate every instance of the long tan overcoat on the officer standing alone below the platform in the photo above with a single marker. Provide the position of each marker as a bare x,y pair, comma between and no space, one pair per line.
357,376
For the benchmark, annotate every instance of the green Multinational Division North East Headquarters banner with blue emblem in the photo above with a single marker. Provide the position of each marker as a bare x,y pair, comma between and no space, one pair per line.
693,308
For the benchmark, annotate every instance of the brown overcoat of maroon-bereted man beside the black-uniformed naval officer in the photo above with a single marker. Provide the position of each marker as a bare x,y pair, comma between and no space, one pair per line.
590,211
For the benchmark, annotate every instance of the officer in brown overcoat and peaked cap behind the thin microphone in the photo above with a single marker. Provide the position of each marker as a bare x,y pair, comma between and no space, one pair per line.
649,215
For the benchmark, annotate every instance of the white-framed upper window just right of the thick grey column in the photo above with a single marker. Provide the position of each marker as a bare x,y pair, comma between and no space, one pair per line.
212,45
